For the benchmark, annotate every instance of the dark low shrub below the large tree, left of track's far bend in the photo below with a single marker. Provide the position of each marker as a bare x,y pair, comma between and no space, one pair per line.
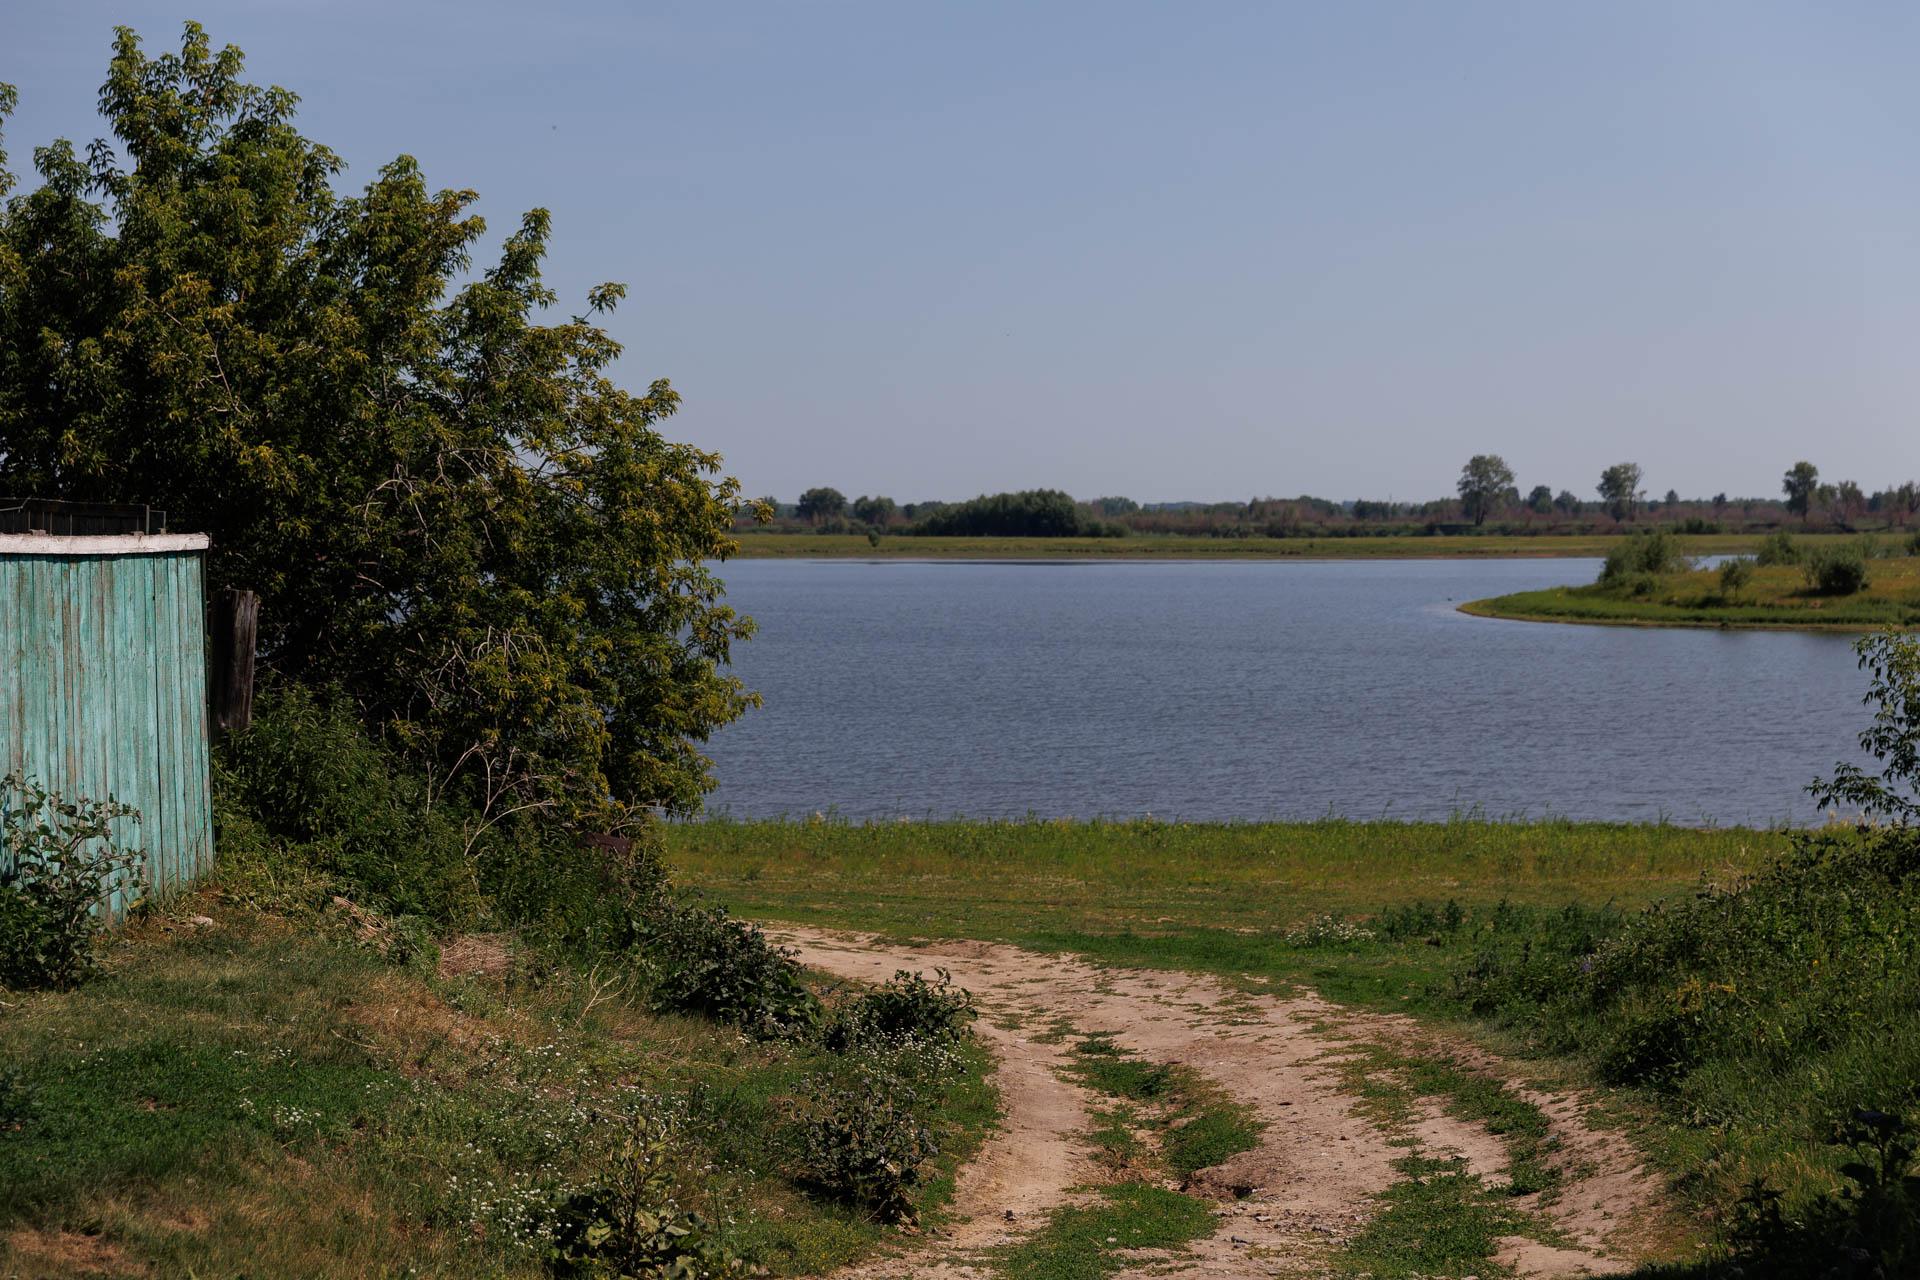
704,960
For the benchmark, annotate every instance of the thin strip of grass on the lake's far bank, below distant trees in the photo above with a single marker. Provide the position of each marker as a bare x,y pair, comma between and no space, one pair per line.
1174,548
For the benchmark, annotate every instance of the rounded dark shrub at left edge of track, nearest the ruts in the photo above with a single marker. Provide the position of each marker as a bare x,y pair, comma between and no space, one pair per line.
865,1141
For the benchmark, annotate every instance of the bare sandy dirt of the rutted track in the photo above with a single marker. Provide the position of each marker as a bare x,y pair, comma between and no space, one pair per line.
1289,1202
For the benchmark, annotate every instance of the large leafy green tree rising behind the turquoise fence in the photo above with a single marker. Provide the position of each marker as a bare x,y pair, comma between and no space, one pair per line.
448,506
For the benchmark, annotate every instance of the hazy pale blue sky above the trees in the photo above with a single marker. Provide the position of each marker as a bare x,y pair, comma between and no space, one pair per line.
1164,250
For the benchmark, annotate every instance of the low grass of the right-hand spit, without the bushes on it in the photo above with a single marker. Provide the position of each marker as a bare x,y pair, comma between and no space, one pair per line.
1777,598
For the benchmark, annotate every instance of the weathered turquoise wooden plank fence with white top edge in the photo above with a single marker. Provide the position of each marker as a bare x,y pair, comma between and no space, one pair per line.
105,686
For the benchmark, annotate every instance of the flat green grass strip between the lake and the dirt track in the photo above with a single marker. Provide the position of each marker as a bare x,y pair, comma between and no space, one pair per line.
1209,897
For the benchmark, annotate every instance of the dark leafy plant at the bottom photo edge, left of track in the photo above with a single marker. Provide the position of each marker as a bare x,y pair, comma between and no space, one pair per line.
629,1225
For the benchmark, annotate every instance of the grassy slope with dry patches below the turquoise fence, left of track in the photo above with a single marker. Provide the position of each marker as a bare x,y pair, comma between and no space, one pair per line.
276,1099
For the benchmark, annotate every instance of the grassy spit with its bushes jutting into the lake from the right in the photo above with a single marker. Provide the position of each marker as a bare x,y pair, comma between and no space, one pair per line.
1850,584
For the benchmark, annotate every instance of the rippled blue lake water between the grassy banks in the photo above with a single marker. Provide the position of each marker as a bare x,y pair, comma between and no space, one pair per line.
1259,690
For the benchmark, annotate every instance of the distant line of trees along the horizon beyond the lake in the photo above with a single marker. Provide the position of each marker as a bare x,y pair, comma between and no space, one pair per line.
1487,500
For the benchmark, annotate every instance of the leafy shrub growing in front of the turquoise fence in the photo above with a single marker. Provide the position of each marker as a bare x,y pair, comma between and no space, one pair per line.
59,863
